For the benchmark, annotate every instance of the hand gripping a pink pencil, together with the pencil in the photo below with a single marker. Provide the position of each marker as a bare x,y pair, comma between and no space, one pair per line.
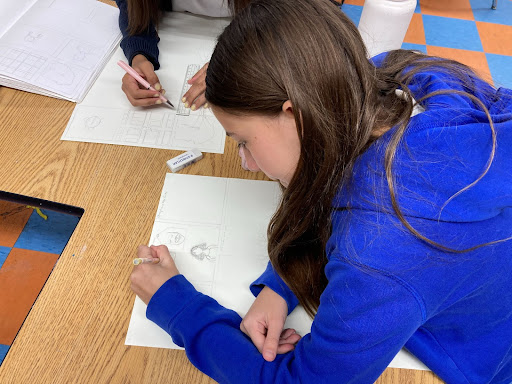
141,84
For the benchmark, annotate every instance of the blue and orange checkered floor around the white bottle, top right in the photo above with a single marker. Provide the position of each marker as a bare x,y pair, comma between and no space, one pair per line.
465,30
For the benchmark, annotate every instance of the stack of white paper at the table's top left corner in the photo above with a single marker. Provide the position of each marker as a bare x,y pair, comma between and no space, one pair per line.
56,48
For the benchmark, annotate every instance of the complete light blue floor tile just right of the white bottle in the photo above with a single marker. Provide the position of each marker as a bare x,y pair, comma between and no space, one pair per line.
451,33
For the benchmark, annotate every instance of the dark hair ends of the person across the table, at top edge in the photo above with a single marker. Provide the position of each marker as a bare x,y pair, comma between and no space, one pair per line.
143,13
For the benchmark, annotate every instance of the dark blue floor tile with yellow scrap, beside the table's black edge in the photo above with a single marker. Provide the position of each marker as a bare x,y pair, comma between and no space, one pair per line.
49,235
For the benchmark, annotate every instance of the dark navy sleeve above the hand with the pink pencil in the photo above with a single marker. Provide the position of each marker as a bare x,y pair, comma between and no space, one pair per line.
144,43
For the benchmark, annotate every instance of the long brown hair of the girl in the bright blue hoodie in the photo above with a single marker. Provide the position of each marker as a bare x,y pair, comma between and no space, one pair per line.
309,52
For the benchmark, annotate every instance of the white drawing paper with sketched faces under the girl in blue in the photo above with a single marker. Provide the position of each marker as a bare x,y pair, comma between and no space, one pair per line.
216,230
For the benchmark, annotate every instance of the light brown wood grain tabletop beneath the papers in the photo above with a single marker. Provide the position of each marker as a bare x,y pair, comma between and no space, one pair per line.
76,330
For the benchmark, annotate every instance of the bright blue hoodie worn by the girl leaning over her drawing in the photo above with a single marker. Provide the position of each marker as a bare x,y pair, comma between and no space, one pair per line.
386,288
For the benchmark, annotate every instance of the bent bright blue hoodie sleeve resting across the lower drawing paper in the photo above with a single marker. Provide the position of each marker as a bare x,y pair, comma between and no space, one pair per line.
363,320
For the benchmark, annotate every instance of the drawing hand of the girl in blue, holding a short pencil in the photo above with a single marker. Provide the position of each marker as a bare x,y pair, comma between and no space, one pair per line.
147,278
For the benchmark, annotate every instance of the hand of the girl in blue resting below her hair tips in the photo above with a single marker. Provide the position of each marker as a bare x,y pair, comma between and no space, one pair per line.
264,324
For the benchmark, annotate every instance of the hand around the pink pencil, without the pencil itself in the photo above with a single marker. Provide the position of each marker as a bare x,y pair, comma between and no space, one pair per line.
136,93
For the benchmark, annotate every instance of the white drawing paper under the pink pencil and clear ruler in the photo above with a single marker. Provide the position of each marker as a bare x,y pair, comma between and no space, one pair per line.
106,115
